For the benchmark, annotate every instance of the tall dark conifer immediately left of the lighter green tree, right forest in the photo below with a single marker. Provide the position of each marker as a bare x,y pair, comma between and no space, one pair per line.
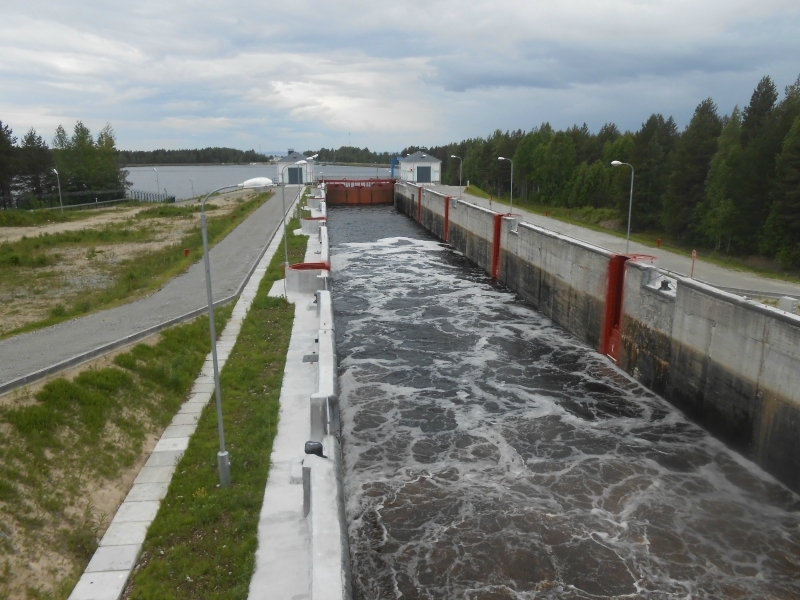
692,159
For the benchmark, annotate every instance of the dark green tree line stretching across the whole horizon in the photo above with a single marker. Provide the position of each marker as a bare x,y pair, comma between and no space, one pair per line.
728,182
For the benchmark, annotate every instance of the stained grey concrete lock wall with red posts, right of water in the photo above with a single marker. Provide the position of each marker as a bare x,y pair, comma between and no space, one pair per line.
731,364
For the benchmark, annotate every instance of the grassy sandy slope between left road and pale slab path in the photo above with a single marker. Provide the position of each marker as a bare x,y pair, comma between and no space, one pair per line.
75,433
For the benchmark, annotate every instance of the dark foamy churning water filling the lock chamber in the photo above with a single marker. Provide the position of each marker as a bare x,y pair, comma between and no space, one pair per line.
489,454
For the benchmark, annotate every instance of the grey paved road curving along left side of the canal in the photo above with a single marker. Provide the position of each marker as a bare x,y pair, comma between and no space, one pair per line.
232,260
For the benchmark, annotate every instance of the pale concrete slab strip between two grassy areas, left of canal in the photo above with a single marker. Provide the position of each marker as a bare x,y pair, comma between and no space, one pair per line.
111,566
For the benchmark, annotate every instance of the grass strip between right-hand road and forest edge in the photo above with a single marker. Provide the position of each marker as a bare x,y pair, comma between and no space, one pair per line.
606,220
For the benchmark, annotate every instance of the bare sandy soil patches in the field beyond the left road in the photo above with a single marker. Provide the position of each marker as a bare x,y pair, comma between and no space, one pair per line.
34,292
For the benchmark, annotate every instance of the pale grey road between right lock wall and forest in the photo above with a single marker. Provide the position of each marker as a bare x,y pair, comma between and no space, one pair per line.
709,273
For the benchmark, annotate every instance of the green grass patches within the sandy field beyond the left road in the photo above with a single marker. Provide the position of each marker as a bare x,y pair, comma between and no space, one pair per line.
131,278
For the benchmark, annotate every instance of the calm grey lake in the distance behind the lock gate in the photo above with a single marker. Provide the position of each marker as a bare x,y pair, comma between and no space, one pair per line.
179,180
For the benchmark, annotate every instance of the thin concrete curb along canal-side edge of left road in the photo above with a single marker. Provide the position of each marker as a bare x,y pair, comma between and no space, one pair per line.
128,340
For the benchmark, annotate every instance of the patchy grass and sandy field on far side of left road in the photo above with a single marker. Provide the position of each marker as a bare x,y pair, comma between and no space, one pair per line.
50,278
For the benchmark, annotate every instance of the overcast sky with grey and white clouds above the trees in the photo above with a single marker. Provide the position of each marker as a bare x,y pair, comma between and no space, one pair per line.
179,73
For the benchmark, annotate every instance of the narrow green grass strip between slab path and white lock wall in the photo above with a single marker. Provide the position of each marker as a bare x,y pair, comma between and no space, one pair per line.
202,544
